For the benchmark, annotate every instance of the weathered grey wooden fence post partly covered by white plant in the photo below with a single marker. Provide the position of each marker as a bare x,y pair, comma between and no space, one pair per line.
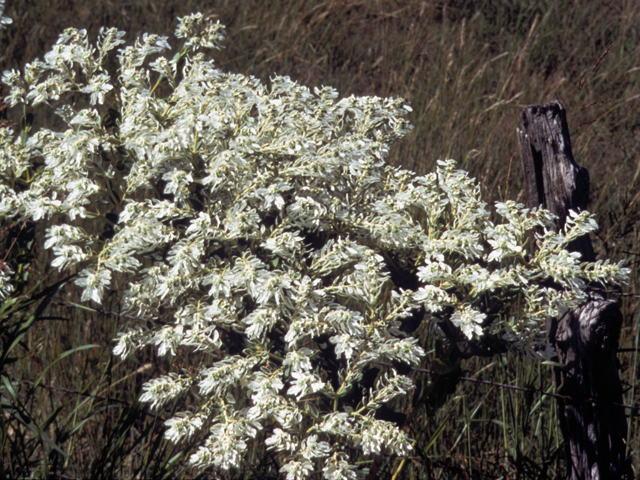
593,422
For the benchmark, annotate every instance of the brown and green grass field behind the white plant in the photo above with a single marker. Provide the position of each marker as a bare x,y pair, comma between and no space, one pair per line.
467,67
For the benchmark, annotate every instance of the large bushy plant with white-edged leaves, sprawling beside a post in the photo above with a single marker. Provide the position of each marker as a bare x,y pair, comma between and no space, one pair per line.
259,228
